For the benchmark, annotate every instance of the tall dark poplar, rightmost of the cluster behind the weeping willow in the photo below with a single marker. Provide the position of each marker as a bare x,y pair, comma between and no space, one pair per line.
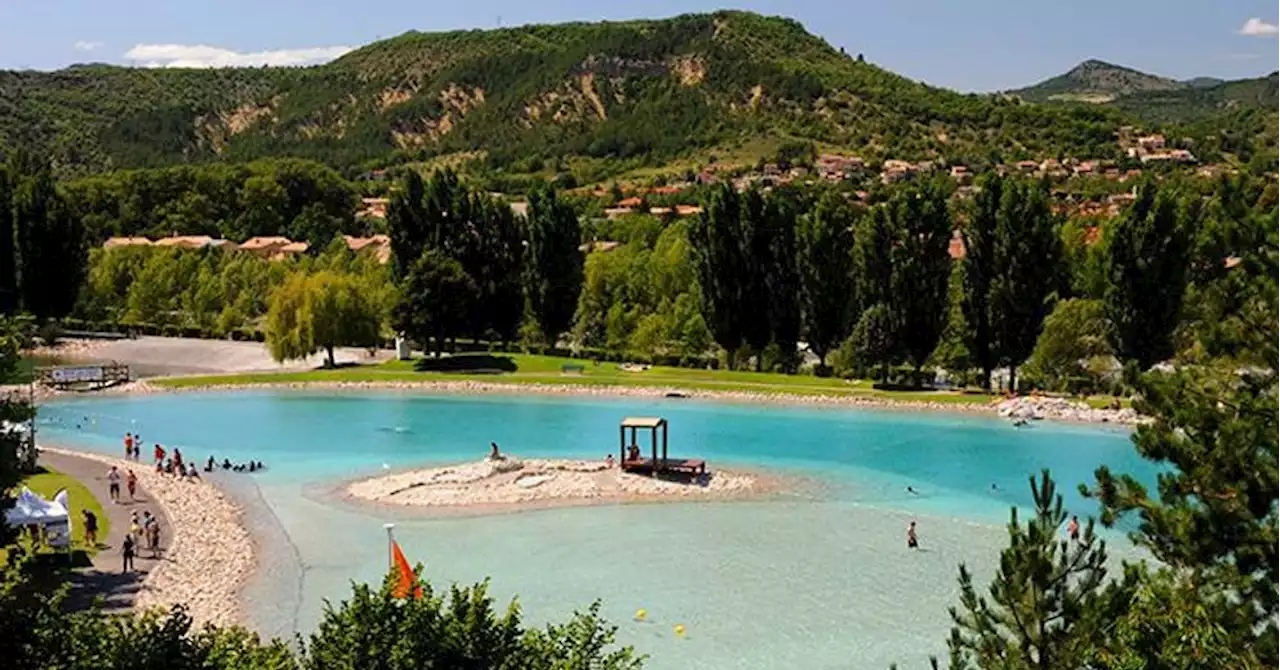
555,265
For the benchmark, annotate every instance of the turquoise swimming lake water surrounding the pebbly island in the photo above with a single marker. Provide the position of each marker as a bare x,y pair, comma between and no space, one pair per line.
819,580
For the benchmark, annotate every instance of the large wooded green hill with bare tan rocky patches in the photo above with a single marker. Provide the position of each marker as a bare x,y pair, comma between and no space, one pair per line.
644,90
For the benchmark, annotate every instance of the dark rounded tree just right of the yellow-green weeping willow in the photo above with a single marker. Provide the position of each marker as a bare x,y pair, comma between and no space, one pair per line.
435,300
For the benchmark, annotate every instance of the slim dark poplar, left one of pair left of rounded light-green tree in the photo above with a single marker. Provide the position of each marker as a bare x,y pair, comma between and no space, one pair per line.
981,271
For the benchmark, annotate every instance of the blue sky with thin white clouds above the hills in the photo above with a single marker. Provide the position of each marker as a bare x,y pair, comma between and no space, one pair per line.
972,45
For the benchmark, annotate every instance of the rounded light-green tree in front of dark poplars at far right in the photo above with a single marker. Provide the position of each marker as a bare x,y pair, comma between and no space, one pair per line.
1075,336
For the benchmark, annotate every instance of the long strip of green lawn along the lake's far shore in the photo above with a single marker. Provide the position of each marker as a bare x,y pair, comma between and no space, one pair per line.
529,370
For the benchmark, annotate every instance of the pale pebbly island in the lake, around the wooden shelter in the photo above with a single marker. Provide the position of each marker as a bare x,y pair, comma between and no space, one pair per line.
514,484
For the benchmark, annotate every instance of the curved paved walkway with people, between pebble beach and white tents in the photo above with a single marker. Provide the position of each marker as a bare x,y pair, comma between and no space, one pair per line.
104,577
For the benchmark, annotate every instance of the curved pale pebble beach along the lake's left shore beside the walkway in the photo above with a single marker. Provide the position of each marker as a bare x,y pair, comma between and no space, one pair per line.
211,552
